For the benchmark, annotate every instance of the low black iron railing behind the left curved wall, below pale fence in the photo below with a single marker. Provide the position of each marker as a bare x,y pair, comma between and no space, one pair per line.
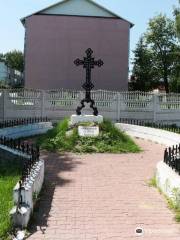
22,121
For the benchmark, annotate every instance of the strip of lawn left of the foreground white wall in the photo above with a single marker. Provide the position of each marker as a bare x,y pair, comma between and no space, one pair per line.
10,168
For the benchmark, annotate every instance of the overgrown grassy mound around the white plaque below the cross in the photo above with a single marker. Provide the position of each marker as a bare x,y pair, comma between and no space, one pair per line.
110,140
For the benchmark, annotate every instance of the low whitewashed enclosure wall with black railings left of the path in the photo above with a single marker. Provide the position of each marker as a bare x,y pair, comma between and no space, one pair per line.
32,166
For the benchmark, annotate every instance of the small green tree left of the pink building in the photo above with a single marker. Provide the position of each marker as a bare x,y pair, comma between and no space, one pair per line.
15,60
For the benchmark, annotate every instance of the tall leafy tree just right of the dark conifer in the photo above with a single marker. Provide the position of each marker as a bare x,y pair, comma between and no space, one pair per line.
161,38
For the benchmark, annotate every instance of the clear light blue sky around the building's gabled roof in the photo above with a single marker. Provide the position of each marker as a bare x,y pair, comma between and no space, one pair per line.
136,11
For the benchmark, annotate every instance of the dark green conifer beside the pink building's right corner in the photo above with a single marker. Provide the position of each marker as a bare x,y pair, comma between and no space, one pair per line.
143,73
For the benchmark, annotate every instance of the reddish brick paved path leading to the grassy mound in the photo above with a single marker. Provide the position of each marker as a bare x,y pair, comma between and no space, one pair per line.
103,197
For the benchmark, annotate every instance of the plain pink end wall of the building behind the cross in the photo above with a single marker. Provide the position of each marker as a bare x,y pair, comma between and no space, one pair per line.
54,42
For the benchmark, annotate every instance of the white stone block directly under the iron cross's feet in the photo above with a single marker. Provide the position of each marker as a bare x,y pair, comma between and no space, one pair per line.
75,119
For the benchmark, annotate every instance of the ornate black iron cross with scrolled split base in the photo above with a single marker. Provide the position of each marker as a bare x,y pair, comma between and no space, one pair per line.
88,63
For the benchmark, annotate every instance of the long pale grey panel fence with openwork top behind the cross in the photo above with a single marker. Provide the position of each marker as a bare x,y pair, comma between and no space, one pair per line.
57,104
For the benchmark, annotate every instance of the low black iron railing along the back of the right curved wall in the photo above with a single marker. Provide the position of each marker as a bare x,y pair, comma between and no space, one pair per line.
159,125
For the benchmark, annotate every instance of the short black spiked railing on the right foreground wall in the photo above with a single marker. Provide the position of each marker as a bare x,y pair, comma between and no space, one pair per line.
172,157
